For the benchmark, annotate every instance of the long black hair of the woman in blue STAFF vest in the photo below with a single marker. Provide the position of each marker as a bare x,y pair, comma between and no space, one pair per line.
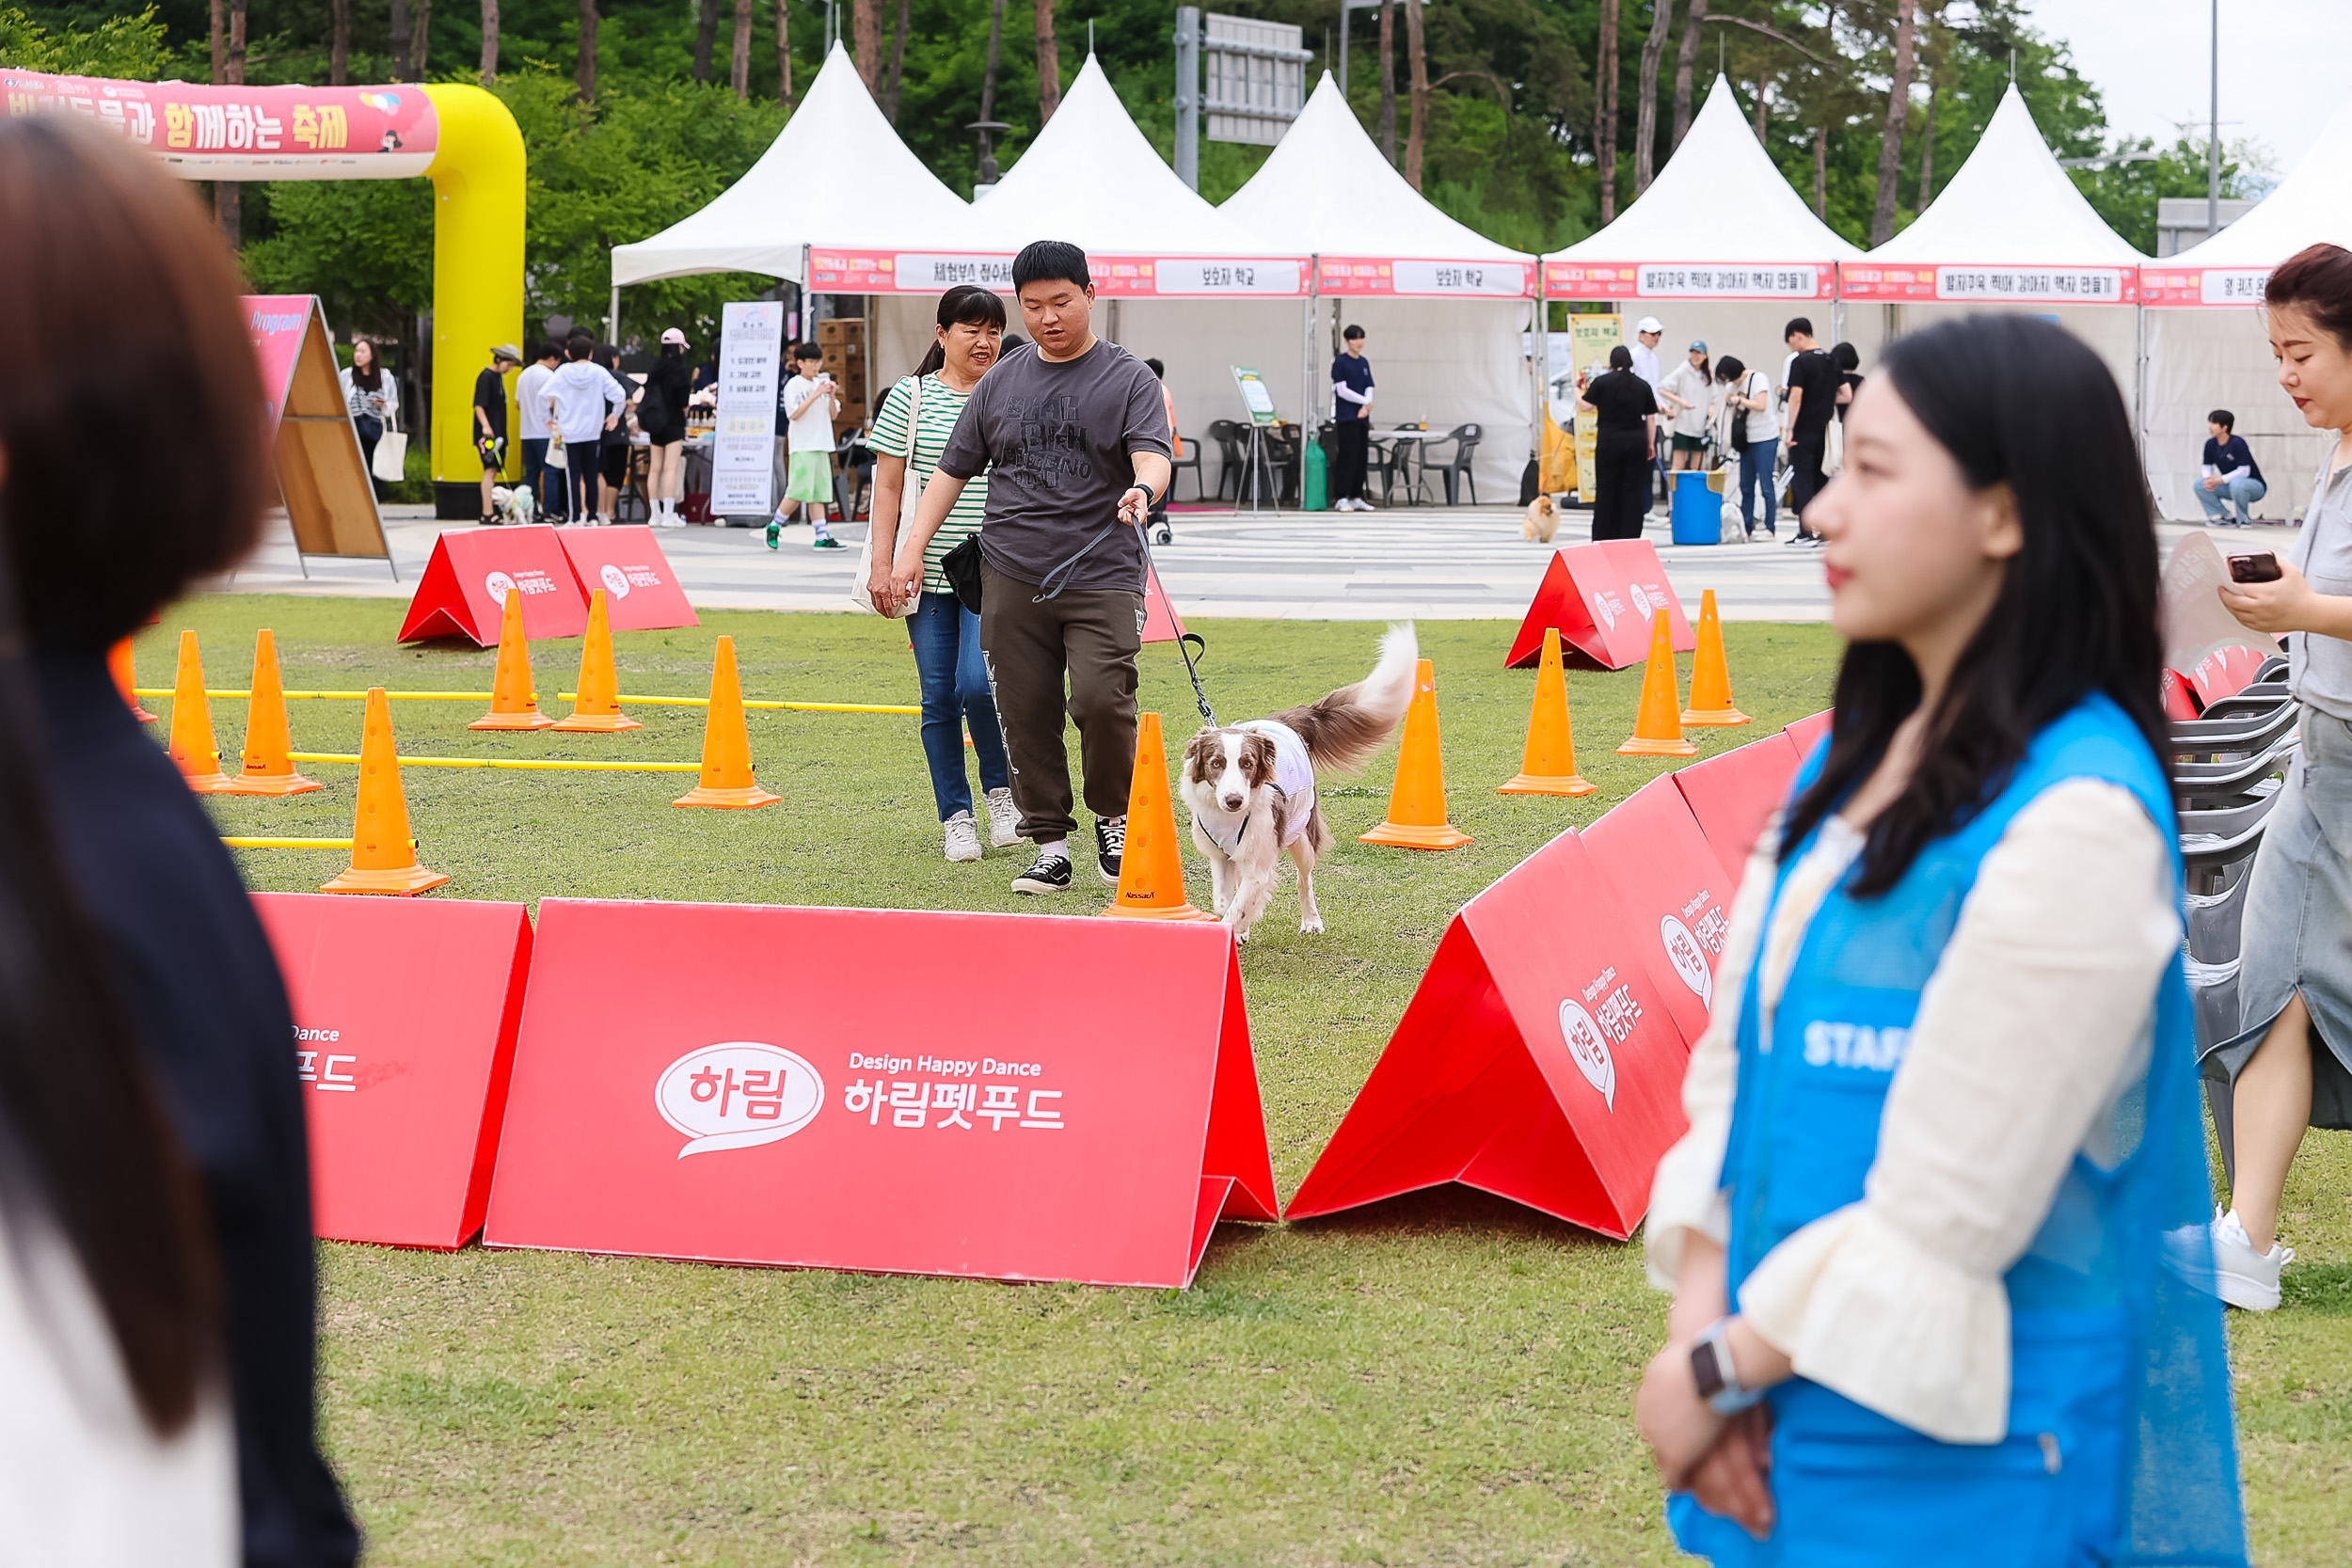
2029,406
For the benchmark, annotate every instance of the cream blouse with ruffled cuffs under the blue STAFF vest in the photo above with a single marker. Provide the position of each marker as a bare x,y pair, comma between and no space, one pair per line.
2029,1038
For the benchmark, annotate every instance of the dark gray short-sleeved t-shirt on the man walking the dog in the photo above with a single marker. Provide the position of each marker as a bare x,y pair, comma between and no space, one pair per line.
1055,443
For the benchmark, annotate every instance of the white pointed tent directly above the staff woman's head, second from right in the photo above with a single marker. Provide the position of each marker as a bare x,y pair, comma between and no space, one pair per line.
2012,234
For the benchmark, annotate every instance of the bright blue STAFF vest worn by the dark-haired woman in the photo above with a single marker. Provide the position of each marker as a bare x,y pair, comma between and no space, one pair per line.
2120,1440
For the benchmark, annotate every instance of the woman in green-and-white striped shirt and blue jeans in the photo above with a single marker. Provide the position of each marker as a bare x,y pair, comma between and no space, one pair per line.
911,429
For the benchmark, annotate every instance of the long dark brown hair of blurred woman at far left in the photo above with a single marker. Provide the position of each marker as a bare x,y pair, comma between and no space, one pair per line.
116,283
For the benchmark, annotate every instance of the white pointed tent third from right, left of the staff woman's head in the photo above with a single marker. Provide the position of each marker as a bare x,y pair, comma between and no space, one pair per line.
1720,248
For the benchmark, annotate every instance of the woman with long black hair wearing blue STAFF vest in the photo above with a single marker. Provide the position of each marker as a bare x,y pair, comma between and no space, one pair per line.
1942,1280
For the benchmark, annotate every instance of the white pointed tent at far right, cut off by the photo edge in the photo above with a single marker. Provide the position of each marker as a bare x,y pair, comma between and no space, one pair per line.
2207,340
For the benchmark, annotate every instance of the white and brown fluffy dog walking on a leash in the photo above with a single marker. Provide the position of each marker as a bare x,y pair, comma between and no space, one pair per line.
1252,786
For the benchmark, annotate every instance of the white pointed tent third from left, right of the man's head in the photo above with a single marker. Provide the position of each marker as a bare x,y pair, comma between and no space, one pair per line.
1445,307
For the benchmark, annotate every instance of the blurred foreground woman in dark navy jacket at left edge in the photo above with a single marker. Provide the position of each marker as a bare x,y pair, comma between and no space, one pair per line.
114,283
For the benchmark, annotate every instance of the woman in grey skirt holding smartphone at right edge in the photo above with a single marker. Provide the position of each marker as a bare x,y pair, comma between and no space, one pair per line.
2292,1061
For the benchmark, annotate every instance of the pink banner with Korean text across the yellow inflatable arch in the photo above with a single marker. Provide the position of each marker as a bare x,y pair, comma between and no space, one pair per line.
248,133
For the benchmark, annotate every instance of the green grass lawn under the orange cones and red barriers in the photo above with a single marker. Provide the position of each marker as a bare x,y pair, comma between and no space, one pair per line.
1434,1381
